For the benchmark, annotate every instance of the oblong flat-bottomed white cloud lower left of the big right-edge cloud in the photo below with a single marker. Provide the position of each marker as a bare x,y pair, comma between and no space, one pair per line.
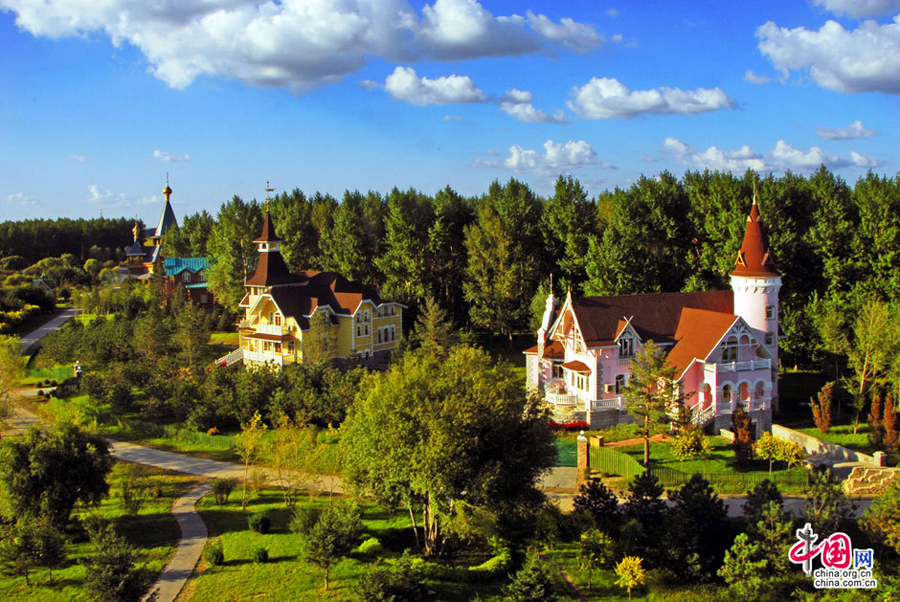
605,98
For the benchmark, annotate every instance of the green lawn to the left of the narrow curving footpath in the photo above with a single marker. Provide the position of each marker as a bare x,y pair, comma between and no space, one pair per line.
153,532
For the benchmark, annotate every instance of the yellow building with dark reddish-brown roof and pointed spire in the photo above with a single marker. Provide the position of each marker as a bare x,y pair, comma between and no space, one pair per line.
279,306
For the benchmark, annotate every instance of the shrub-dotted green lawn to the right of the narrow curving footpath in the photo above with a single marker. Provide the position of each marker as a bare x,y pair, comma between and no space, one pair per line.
286,576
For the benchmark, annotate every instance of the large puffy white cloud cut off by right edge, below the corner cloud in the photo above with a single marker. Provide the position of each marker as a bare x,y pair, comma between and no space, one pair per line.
866,59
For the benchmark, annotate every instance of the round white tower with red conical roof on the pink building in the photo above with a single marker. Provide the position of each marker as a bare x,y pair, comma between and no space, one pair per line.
756,283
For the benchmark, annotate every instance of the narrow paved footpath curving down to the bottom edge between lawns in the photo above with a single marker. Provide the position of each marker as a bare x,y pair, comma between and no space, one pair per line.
193,537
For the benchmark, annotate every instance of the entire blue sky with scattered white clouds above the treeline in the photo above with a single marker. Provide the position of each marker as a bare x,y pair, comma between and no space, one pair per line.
101,99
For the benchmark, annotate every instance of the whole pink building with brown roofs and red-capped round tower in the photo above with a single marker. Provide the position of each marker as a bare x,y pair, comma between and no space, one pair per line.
724,345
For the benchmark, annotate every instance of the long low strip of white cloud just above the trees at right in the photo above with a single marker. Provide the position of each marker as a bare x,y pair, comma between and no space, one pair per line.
783,157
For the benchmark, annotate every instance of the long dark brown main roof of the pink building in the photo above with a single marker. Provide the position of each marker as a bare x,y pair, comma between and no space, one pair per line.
654,315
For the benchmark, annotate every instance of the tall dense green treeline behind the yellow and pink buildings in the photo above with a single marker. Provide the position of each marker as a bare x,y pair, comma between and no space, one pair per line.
487,260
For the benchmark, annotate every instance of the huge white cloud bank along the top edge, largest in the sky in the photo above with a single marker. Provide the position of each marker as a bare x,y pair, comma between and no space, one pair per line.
295,44
